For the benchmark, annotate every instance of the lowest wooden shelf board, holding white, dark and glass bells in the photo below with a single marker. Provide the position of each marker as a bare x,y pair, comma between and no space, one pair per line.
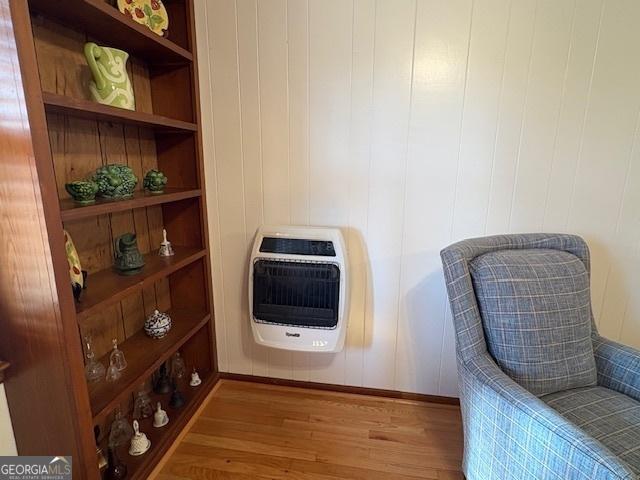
162,438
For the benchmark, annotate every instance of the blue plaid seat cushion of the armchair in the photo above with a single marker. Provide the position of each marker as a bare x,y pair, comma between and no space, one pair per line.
610,417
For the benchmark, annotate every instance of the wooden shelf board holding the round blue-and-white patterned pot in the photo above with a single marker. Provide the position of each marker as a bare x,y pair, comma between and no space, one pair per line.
144,355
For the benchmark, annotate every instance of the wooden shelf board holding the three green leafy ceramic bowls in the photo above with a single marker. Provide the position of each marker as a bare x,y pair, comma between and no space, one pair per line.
70,210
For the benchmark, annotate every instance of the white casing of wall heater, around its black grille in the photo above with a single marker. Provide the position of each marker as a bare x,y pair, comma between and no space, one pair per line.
298,337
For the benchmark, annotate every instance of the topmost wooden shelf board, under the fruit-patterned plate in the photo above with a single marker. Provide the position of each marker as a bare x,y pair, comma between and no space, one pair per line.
105,23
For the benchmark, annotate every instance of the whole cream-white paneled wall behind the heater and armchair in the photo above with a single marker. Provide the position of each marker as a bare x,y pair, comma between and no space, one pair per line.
412,124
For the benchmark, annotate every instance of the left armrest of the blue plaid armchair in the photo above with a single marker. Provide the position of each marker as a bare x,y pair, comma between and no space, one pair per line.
512,434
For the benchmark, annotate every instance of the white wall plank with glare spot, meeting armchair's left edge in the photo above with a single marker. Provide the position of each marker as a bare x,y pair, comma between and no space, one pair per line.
440,58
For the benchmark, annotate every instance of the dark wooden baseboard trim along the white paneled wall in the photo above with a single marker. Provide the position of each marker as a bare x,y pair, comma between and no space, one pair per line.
376,392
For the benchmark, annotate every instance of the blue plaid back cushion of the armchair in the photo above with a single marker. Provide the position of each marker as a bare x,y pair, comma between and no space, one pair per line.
536,313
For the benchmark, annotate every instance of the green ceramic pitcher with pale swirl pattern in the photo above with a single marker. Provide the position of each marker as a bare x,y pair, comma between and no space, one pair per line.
110,84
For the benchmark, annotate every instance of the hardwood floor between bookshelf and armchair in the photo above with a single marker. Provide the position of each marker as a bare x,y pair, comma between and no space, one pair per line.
256,431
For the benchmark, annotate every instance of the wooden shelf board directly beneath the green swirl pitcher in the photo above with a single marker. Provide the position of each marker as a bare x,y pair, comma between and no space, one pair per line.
61,104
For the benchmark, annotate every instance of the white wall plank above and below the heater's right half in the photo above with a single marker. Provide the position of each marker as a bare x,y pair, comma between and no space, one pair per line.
330,37
